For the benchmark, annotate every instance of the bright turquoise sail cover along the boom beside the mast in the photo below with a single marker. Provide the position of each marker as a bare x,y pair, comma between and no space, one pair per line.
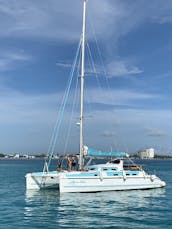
94,153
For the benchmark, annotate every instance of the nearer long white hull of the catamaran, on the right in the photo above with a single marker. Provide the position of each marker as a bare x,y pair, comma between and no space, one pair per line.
108,184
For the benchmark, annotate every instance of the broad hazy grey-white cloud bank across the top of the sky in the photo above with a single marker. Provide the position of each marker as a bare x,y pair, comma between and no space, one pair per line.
53,19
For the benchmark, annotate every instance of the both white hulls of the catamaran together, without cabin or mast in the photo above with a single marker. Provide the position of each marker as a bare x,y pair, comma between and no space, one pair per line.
75,182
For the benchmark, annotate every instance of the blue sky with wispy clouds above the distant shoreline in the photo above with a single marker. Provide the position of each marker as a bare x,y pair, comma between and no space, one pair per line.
131,44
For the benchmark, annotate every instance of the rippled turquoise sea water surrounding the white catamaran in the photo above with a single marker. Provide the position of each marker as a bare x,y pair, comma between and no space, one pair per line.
47,209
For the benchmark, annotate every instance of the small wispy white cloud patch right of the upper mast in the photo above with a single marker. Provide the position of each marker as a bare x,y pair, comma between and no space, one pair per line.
121,68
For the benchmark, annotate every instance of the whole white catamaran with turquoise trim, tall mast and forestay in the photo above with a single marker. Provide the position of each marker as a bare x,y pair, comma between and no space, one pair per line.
110,176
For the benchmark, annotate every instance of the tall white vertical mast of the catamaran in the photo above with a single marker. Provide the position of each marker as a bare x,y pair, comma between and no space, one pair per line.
82,86
